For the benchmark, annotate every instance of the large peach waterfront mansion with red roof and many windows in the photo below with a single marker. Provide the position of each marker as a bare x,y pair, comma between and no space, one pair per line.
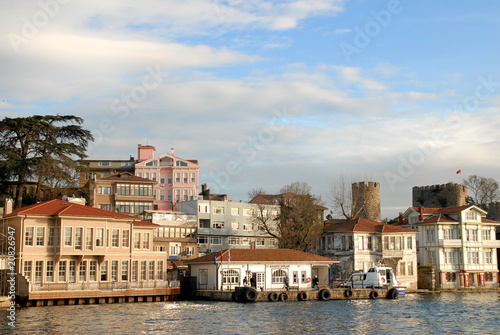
69,251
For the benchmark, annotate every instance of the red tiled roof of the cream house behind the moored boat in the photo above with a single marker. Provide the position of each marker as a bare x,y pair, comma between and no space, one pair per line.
364,225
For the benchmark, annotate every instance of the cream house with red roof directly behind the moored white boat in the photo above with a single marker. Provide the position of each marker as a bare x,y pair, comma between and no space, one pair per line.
360,244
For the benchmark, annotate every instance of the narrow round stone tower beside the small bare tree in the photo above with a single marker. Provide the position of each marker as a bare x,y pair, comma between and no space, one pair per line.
367,194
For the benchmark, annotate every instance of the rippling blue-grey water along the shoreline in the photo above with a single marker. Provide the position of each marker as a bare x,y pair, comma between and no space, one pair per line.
438,313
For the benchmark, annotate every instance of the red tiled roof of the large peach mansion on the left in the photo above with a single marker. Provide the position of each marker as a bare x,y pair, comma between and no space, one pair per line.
59,207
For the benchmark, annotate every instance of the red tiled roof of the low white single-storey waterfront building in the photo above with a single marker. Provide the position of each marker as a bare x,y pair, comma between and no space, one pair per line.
262,255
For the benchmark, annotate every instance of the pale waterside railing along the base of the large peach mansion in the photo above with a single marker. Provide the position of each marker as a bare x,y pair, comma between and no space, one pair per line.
103,286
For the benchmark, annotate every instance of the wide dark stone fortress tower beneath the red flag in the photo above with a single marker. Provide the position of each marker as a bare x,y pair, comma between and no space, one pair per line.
444,195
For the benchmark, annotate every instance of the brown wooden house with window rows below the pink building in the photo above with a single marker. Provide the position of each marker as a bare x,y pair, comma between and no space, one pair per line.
123,193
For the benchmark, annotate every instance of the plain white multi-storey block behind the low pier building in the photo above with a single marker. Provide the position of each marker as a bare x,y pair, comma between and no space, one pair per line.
226,224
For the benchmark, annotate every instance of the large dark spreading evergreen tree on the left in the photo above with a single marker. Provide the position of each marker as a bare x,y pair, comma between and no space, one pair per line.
36,147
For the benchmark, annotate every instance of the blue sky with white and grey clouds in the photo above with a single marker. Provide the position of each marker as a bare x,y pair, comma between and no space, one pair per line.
266,93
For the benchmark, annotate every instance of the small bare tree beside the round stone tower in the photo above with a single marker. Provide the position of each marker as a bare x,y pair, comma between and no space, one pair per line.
345,201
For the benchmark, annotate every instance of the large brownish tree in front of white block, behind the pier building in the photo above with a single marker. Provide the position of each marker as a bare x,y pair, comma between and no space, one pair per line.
298,223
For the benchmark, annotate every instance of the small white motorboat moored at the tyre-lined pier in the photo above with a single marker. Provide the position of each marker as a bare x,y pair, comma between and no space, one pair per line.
376,277
